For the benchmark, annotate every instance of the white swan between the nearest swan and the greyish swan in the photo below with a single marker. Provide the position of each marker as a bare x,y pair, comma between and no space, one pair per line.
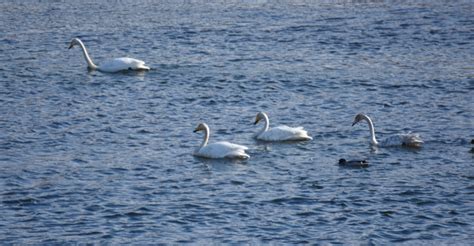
279,133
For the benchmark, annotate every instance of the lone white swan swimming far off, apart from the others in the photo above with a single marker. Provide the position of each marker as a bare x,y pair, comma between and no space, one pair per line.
112,65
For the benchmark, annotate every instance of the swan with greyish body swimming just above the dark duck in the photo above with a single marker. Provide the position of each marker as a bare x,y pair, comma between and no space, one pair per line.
403,139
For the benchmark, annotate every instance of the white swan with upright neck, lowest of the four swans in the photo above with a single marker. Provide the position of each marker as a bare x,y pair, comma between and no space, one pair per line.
218,149
